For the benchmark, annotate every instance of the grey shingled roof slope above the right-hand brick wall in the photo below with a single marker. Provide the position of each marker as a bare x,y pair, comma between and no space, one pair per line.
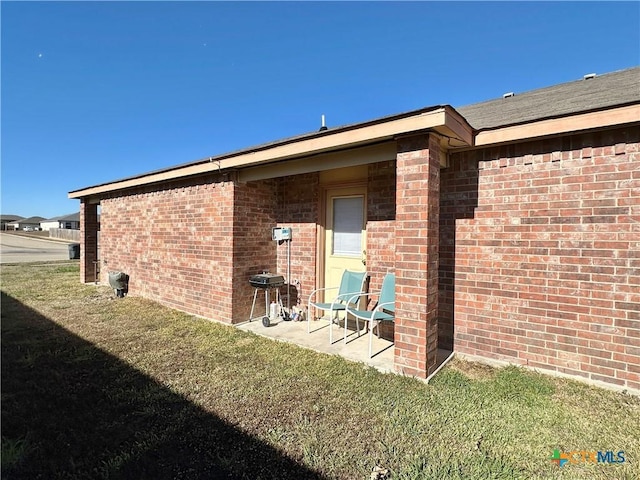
590,94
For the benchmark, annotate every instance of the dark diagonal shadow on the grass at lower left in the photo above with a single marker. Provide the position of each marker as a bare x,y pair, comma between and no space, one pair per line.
79,412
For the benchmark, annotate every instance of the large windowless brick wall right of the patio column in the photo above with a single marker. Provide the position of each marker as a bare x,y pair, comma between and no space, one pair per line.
547,265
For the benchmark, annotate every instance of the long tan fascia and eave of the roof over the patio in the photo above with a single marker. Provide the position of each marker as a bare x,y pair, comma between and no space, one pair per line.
444,120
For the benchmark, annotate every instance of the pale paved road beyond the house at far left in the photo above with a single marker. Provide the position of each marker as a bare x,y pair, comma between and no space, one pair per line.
21,249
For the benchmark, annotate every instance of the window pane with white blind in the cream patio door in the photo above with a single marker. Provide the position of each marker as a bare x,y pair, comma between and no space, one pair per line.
348,217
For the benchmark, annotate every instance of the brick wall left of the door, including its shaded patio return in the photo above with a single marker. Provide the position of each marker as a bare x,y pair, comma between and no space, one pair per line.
194,247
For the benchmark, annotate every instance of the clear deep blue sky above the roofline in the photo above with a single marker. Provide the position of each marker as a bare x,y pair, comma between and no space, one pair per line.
97,91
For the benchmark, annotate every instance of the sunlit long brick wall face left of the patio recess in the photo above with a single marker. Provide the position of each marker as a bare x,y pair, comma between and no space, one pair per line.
175,243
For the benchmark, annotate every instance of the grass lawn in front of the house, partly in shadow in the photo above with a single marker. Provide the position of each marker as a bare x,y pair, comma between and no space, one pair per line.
98,387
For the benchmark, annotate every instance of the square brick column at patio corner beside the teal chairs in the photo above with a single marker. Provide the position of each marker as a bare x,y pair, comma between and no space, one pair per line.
417,239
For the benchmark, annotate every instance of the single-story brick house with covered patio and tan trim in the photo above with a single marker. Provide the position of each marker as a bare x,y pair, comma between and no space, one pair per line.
513,226
